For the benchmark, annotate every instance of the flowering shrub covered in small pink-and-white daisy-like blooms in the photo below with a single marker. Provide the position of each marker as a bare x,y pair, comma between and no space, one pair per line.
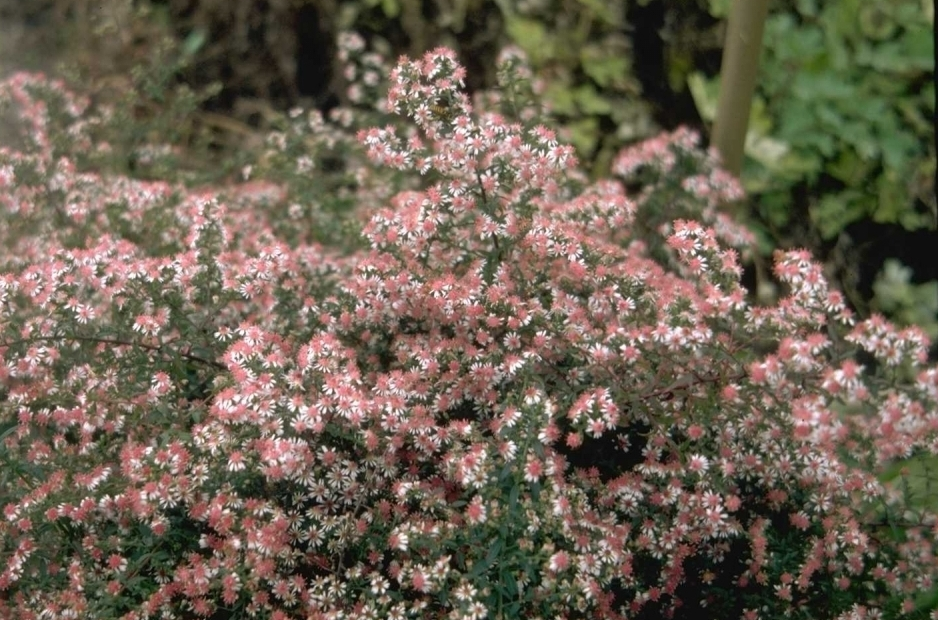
528,396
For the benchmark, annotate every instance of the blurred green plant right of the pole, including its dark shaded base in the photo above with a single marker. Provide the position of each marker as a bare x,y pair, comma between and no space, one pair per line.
839,153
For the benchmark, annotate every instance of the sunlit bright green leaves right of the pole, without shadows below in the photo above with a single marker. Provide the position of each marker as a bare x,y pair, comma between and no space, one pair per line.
846,96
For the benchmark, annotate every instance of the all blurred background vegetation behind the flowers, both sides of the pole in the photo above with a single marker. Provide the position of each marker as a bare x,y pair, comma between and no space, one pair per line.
839,152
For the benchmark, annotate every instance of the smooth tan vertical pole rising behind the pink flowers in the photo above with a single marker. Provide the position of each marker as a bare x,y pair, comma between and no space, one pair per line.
740,66
